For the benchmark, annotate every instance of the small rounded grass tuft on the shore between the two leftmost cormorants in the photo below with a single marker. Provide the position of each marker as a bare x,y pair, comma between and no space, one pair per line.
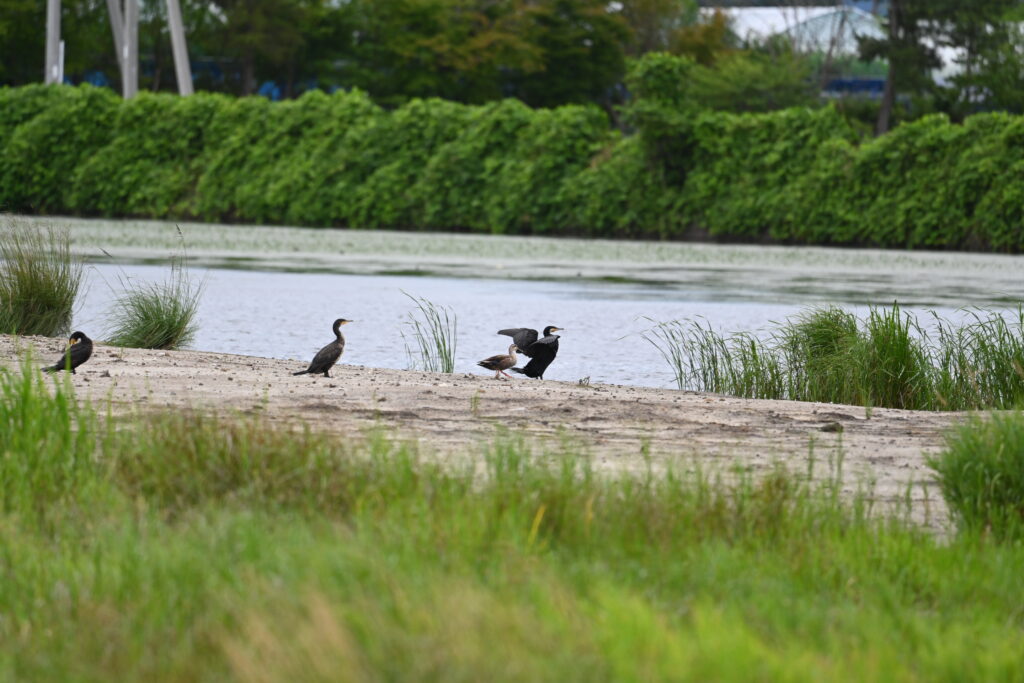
158,316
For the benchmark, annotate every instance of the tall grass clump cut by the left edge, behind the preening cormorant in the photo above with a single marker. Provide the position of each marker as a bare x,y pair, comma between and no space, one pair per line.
39,280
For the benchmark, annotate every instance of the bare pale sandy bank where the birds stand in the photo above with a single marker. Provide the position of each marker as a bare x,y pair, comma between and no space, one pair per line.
456,415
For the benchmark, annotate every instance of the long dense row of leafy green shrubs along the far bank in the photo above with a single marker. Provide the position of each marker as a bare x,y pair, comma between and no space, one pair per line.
796,176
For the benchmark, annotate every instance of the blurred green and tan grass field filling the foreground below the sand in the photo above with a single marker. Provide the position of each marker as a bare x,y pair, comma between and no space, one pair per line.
195,548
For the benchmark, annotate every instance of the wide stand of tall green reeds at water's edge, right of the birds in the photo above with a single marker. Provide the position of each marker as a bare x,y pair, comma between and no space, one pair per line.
886,360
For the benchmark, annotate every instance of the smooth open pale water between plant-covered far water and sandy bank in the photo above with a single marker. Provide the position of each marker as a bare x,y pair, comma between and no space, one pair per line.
286,315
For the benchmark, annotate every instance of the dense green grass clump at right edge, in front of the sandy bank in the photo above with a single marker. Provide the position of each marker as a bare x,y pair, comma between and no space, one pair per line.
982,476
